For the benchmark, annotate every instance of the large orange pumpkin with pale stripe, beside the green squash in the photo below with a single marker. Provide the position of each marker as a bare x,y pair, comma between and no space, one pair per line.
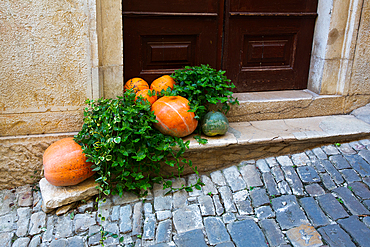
173,116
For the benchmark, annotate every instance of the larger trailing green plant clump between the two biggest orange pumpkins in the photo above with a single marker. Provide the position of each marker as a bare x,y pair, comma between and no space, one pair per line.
126,151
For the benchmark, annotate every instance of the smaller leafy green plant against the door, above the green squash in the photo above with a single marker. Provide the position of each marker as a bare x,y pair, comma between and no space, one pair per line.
204,86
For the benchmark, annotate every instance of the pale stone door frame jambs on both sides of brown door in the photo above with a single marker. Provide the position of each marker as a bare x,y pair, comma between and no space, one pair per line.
330,67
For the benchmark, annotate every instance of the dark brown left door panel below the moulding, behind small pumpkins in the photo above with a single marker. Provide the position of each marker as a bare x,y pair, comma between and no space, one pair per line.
155,45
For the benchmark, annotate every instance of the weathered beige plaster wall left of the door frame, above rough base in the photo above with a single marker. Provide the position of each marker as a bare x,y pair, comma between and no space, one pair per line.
45,65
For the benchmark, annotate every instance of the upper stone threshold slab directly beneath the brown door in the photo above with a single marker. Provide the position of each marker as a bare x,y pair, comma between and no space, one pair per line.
257,106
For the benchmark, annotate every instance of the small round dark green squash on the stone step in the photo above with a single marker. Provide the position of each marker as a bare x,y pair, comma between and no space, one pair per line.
214,123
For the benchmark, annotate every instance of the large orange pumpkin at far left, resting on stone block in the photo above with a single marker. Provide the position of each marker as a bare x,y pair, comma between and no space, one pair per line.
65,164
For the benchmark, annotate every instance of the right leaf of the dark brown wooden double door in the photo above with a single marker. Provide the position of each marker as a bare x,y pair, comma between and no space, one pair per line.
268,44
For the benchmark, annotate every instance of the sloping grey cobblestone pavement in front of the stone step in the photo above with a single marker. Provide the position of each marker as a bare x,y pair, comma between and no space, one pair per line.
314,198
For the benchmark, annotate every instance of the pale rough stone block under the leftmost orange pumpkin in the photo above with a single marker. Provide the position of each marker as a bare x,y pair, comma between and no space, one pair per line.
57,196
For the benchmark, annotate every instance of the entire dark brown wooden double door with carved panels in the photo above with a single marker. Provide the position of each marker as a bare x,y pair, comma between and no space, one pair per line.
263,45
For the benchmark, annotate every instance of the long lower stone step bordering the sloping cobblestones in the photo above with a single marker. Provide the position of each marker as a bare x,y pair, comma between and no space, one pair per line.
267,138
